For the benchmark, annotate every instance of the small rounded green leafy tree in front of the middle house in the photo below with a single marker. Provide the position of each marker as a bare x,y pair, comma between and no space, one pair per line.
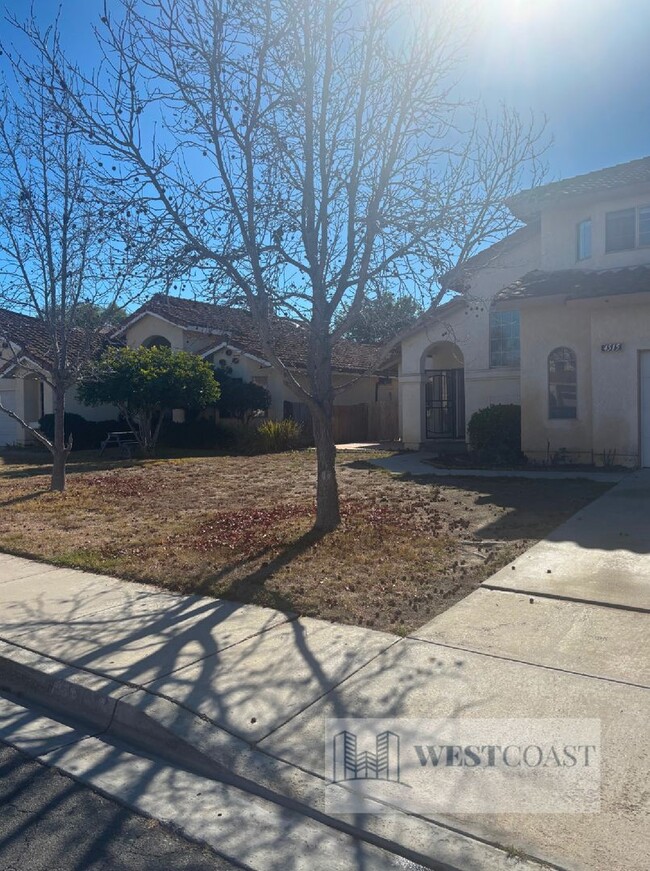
146,384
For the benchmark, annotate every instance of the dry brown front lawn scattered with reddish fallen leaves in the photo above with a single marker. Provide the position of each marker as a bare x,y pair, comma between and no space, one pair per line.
239,527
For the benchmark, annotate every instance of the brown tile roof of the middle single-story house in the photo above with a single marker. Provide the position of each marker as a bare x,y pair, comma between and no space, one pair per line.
236,326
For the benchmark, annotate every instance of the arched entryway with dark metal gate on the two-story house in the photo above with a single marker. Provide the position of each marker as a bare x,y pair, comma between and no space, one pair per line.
444,393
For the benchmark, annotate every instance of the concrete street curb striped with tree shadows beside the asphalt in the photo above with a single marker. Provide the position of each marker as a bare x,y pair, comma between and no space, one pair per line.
102,703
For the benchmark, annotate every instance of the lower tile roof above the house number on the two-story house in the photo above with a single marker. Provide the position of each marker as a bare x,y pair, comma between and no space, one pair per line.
578,283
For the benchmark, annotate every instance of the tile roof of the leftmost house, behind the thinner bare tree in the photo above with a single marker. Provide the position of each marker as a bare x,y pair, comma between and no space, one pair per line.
31,335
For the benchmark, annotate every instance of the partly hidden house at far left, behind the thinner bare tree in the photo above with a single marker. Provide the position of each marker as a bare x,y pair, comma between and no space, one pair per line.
24,360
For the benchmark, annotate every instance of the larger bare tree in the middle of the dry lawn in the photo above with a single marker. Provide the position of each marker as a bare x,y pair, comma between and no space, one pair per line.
305,153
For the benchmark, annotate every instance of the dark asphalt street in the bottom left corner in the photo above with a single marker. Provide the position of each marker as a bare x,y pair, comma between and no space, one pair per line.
50,823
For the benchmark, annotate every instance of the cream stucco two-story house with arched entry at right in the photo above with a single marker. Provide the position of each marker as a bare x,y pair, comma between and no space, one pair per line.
555,317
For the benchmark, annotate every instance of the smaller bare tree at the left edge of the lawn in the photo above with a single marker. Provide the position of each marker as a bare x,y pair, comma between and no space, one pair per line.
68,240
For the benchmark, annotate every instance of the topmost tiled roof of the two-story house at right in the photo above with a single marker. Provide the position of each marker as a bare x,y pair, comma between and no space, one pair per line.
527,204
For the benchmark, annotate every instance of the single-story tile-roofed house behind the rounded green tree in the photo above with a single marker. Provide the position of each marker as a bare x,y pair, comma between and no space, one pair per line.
227,337
